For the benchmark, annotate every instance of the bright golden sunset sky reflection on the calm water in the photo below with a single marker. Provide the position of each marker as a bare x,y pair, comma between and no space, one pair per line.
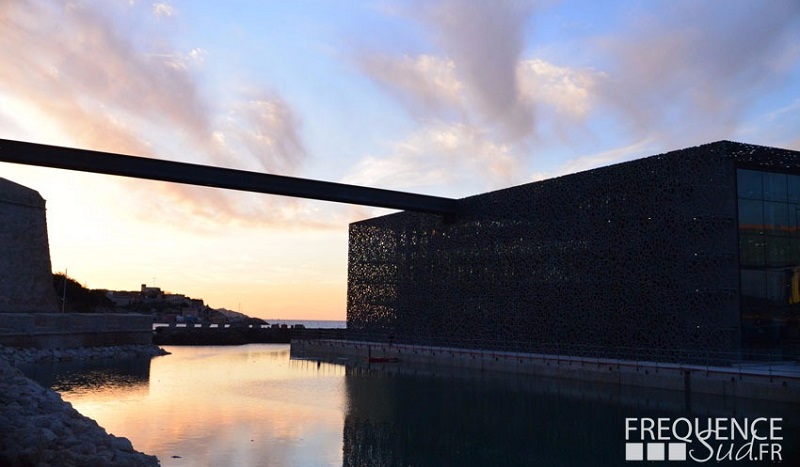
234,406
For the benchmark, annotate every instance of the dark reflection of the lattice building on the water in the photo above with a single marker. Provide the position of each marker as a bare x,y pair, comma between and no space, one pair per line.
468,418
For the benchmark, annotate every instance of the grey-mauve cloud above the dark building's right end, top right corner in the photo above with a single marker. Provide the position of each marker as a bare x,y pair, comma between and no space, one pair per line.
693,70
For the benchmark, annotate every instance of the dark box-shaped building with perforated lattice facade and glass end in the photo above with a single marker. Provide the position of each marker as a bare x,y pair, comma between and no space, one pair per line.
683,255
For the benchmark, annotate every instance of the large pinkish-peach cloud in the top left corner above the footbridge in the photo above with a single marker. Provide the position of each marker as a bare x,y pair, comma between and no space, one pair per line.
73,63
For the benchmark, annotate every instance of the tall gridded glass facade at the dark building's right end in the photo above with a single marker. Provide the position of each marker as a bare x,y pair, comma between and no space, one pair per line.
769,258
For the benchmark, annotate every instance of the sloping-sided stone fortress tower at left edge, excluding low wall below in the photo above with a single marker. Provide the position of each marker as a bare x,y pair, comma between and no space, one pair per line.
26,284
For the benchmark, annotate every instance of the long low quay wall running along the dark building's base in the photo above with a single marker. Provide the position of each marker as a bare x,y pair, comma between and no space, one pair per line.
777,383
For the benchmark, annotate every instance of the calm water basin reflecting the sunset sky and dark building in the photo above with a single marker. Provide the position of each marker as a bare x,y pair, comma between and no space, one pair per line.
252,405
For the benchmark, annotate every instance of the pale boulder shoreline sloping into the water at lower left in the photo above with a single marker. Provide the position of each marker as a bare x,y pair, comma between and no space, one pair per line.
38,428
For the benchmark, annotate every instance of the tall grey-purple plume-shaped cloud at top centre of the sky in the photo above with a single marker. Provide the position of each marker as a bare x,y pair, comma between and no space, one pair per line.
471,74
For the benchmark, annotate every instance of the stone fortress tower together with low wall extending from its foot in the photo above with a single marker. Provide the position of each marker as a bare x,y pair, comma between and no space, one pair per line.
29,308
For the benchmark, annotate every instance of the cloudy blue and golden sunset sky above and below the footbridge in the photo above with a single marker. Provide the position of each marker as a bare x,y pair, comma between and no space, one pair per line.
442,97
